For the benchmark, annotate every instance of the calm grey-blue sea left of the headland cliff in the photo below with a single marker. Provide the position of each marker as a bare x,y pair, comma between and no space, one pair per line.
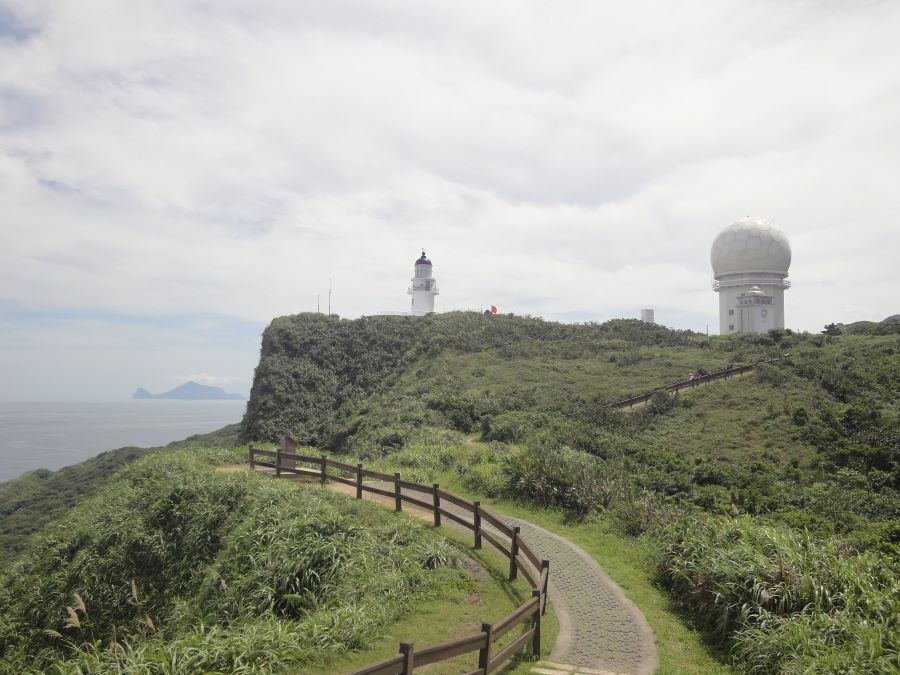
54,435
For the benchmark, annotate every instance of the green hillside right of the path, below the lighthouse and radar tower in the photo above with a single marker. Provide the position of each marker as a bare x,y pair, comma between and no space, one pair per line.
805,447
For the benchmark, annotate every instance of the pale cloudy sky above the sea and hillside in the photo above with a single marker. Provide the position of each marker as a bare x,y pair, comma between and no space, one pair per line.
175,174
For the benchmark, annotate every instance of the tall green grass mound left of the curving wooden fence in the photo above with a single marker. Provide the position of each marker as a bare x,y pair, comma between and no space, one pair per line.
178,568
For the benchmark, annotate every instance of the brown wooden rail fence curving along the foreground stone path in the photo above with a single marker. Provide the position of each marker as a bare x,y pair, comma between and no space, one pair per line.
483,524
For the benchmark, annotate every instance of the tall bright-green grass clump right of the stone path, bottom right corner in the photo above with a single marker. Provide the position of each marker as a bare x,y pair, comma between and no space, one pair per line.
785,601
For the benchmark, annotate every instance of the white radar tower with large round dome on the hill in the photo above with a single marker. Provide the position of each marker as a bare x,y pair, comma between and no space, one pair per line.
750,260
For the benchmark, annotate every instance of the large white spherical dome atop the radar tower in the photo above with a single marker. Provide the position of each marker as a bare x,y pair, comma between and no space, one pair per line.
750,245
